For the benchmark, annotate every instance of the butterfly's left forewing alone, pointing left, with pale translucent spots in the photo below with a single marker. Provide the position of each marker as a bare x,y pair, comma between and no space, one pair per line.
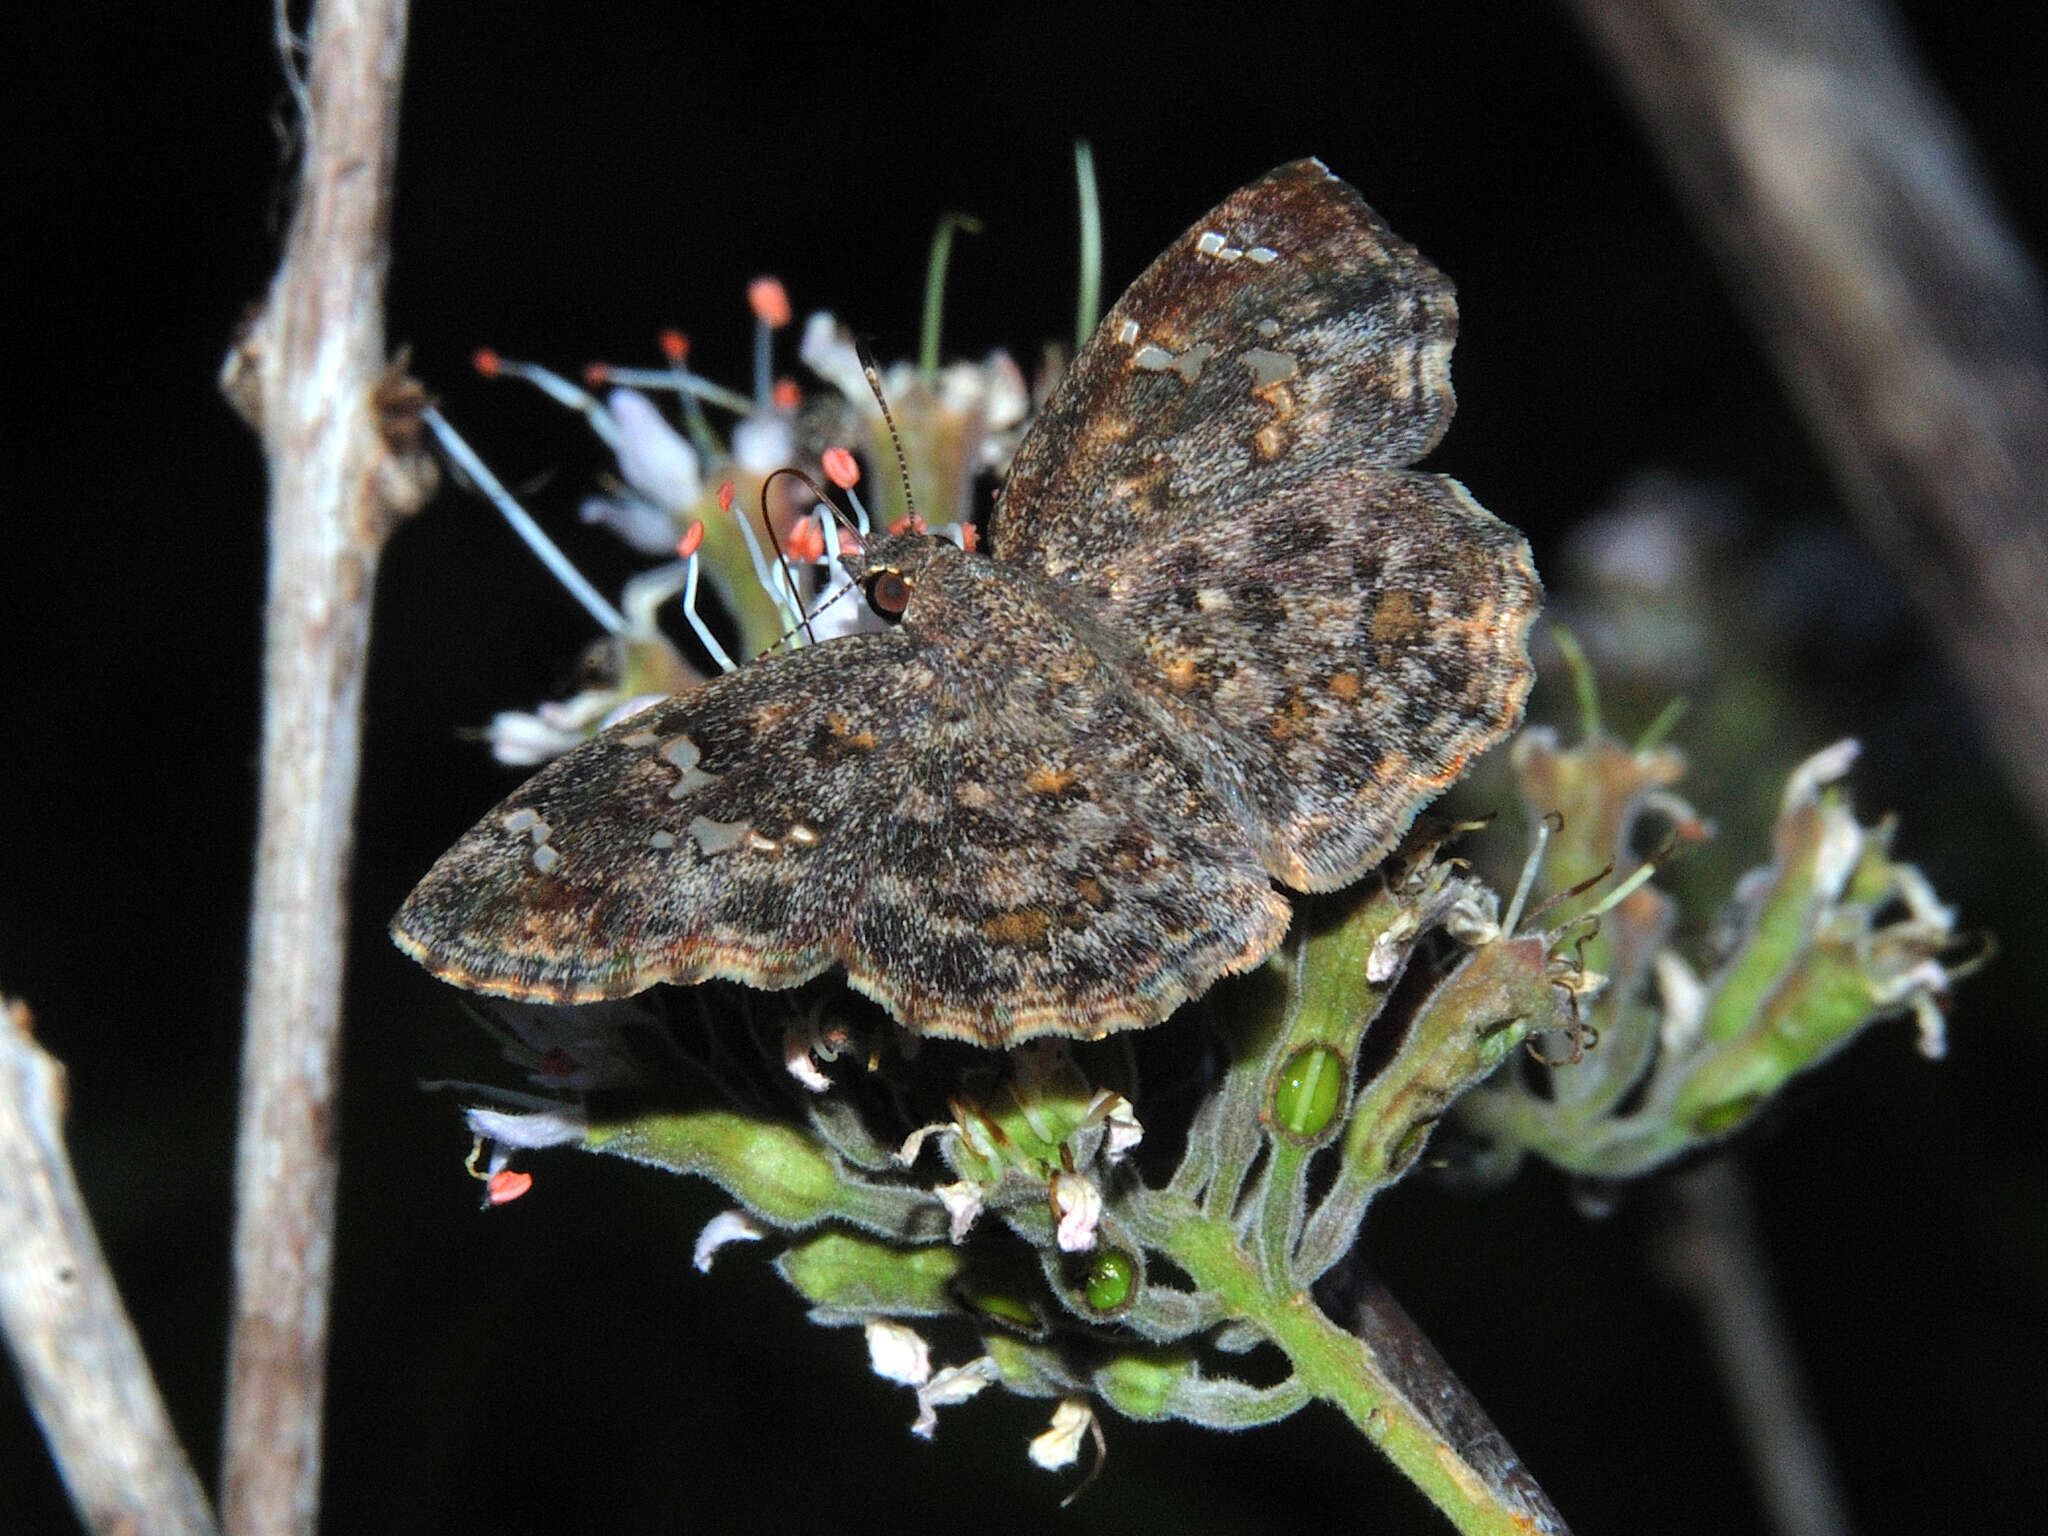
724,833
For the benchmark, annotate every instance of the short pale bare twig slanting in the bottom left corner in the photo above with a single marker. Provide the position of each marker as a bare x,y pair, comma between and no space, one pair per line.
75,1347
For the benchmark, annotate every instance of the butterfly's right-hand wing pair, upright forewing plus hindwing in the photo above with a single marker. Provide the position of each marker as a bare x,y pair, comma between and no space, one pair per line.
1222,482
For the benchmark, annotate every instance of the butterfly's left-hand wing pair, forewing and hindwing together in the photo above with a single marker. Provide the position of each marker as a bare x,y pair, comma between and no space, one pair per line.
992,857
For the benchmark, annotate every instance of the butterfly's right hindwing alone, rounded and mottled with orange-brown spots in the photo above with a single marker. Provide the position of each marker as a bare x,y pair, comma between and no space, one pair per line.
1342,650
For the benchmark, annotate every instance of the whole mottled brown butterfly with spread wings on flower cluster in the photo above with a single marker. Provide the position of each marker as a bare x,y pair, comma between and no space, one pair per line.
1224,640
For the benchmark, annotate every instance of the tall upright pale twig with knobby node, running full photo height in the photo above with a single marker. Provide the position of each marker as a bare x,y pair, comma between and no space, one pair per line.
314,382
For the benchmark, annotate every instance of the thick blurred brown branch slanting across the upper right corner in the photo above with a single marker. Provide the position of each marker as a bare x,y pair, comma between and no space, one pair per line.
1848,210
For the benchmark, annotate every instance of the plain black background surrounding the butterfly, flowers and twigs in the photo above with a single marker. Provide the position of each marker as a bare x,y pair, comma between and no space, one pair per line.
570,181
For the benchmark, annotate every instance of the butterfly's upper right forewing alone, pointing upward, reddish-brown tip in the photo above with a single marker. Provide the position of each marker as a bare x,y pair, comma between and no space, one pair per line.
1285,337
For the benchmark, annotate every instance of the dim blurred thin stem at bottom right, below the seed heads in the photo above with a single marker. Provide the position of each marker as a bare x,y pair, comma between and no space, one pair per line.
1713,1256
